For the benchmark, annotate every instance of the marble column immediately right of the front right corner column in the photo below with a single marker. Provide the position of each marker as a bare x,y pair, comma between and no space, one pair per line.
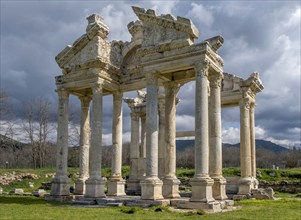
215,138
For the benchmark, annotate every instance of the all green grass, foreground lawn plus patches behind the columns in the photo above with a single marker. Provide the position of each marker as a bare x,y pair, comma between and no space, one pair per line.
29,207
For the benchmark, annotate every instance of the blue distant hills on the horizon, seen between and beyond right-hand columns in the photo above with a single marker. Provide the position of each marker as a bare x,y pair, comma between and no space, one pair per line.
260,144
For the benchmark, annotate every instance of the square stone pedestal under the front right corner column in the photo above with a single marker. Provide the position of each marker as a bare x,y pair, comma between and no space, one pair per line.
201,189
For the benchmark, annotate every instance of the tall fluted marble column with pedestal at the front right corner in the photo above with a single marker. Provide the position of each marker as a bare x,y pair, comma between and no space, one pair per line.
201,182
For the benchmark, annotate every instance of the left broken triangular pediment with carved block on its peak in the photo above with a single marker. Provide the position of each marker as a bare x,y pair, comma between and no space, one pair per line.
91,48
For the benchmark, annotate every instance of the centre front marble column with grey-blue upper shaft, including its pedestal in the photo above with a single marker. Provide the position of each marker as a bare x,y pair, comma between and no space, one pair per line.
151,187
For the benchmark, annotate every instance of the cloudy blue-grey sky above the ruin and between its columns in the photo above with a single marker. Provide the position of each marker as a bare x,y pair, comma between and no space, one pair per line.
261,36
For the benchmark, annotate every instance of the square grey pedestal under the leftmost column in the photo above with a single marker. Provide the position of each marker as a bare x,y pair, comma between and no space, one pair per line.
60,186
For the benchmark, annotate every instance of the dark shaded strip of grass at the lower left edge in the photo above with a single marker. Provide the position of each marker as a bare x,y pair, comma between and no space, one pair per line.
28,200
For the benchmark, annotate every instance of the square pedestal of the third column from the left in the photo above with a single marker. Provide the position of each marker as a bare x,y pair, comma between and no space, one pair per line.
95,187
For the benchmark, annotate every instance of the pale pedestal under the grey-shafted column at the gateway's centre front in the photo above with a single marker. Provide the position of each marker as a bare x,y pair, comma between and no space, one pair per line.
151,188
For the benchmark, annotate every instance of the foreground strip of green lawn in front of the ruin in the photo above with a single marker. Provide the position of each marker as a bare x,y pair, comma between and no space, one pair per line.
27,207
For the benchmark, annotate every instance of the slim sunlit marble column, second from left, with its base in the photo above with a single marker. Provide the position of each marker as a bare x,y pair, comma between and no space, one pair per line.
80,186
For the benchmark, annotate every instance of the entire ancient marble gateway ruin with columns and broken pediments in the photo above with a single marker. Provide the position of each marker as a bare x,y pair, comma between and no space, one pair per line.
161,57
